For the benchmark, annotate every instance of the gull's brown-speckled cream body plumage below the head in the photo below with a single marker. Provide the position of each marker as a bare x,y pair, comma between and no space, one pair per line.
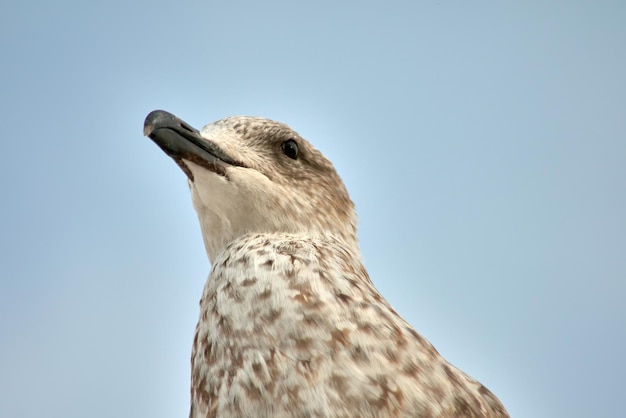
292,326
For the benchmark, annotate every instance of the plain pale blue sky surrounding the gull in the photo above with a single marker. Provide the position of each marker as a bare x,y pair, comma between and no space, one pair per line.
483,143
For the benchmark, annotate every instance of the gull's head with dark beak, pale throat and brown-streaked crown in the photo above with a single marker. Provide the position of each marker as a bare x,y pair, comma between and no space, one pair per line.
254,175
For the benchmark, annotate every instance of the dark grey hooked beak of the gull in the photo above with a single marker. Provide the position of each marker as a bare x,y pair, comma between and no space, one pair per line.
182,142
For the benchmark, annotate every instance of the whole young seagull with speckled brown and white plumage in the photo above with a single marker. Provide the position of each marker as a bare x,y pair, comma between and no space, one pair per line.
290,323
